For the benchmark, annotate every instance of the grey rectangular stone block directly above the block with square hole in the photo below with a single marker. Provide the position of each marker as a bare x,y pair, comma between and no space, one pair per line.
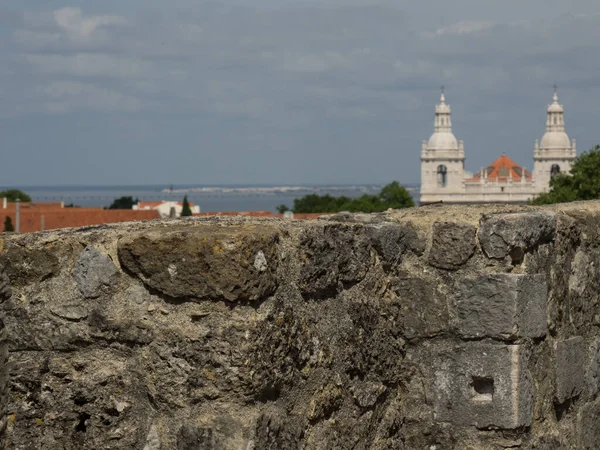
506,306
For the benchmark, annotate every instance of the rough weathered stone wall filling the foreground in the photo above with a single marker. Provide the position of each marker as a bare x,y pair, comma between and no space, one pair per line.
430,328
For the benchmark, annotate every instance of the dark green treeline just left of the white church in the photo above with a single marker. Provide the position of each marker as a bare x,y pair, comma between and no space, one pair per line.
392,195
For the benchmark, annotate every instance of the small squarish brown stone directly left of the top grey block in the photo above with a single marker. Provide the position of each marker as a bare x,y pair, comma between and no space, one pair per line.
452,244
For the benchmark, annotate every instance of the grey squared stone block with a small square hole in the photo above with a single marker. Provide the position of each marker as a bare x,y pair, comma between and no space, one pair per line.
483,385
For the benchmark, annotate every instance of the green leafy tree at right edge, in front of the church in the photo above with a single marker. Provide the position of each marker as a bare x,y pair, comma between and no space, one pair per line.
583,183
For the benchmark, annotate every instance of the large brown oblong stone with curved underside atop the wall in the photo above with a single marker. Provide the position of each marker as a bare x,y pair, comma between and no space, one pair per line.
235,263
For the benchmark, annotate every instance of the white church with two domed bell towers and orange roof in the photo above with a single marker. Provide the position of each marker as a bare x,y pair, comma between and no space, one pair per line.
444,178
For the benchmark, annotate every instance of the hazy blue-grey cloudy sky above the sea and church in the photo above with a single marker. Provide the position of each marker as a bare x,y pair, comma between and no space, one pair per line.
283,91
